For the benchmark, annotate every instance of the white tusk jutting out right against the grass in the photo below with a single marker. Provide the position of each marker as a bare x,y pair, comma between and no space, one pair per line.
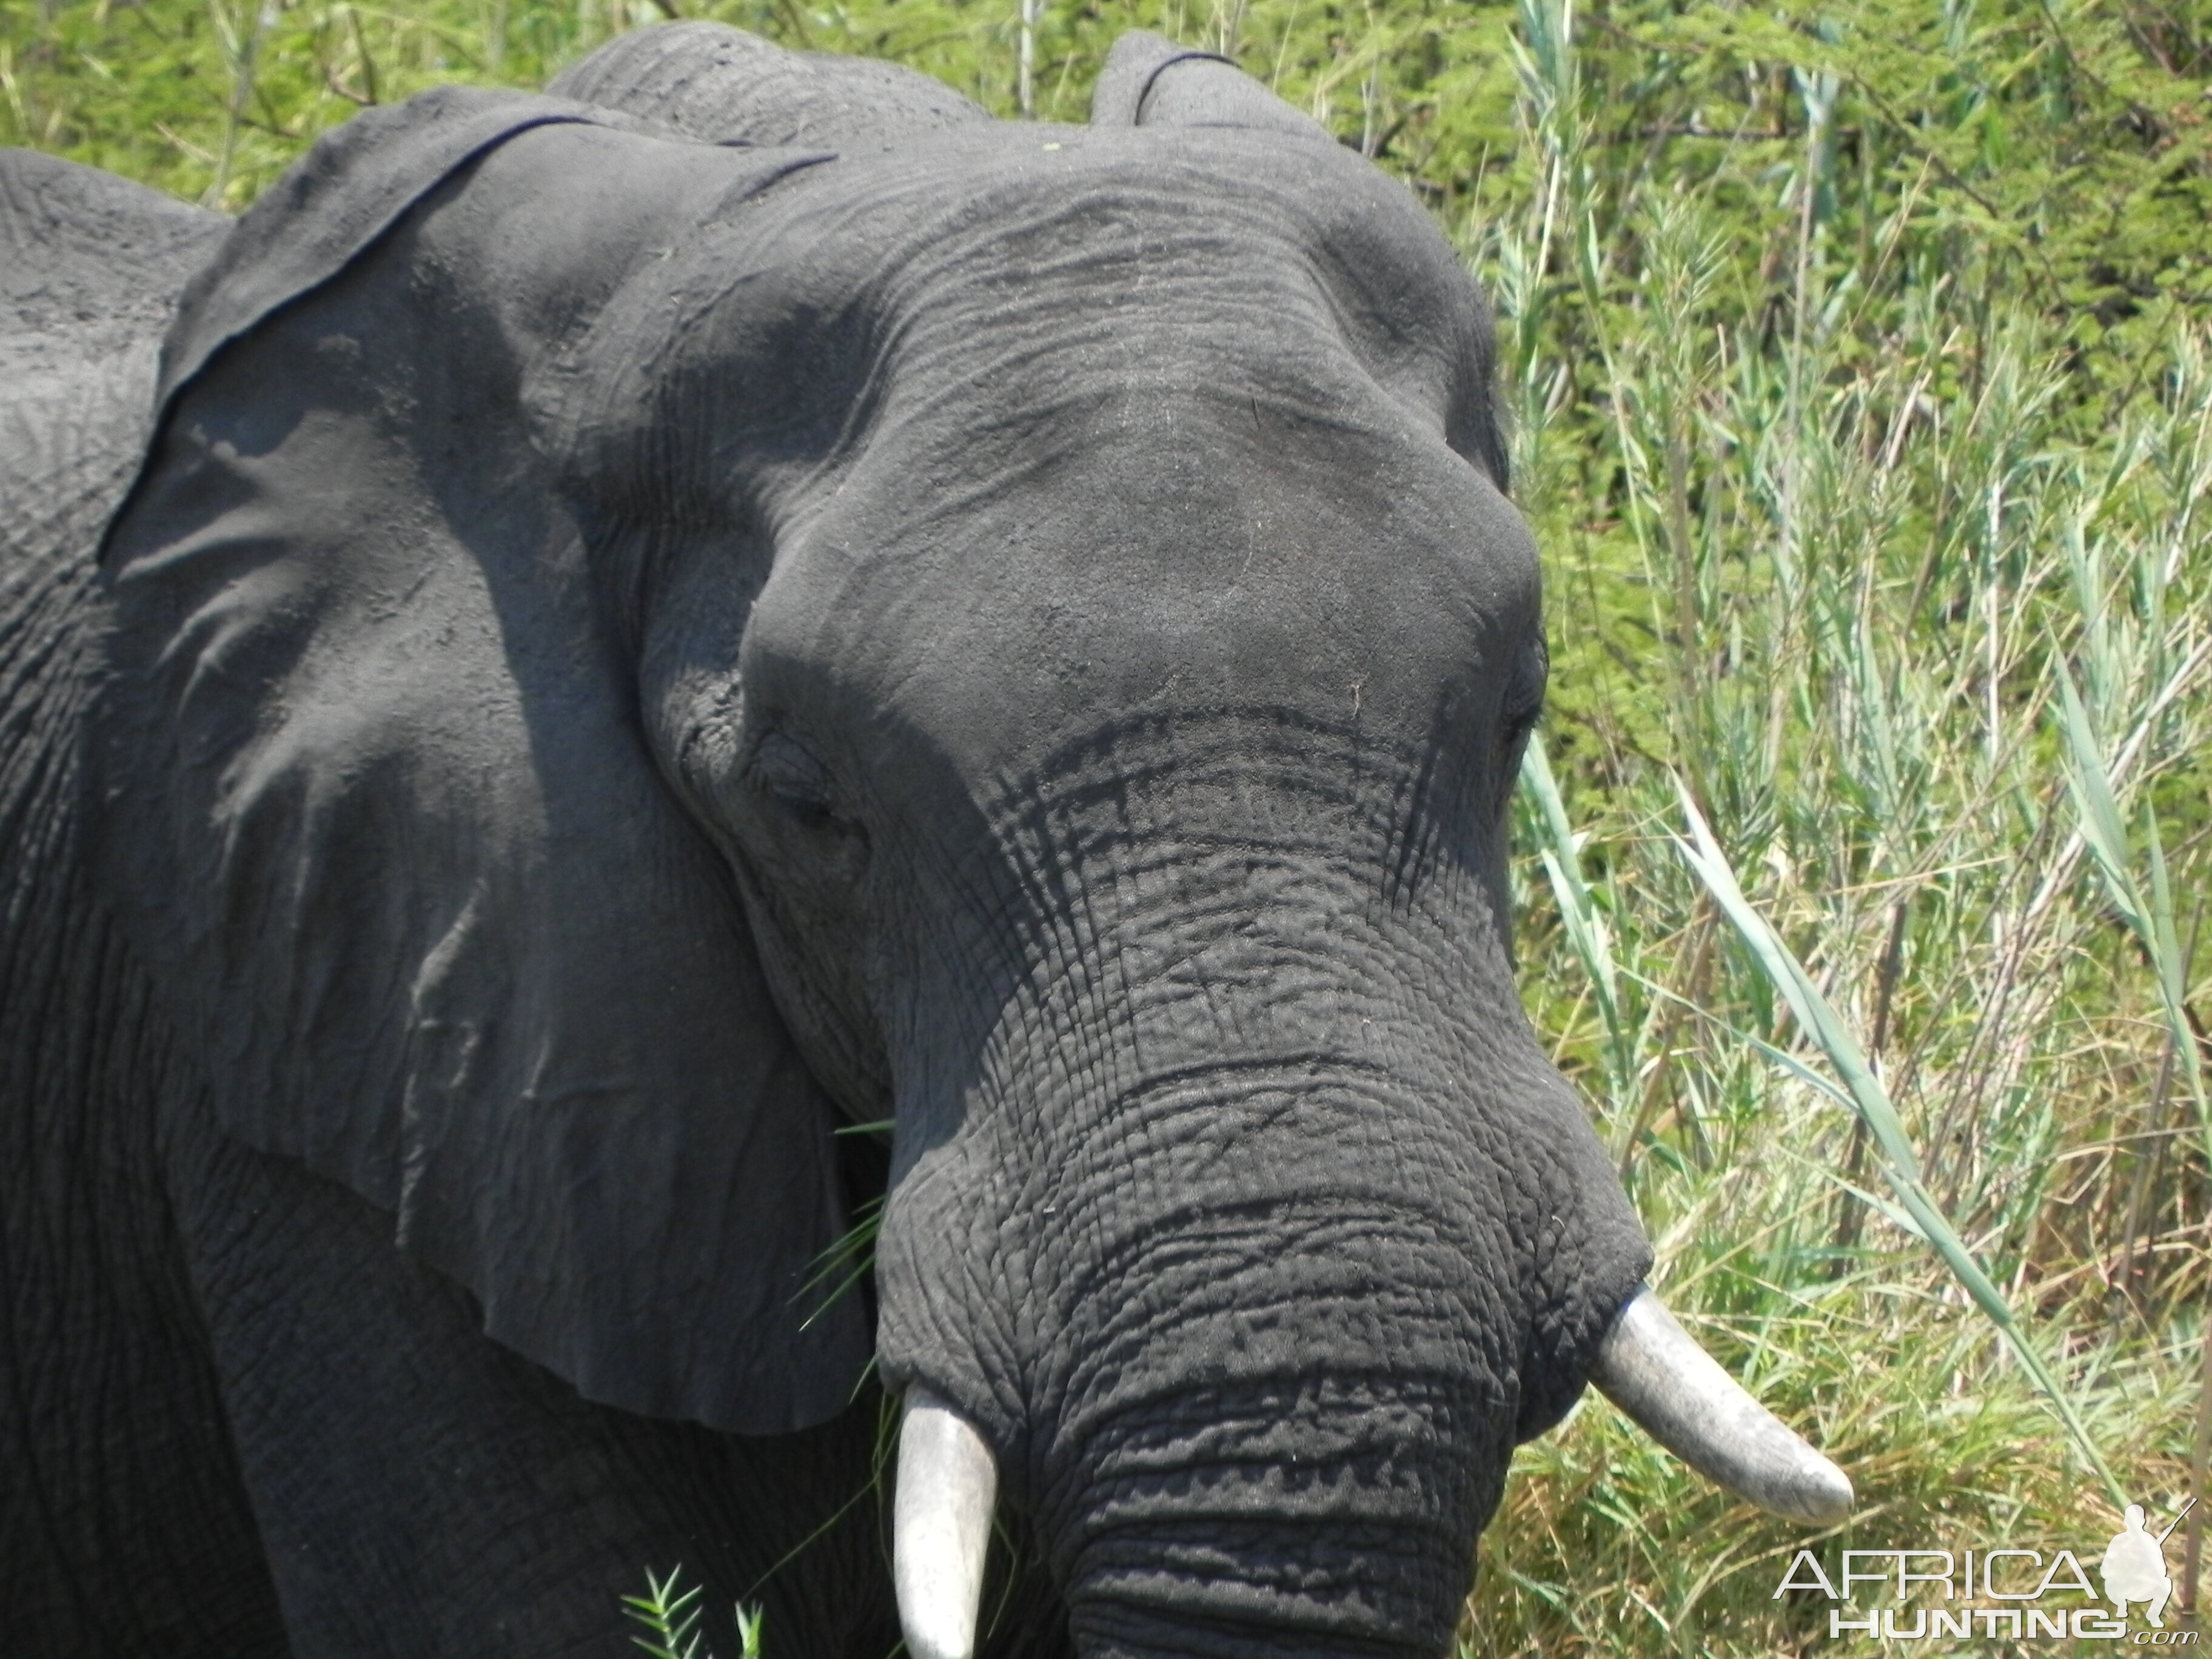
1653,1370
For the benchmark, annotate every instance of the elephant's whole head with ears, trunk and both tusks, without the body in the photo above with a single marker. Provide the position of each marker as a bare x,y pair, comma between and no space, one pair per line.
751,601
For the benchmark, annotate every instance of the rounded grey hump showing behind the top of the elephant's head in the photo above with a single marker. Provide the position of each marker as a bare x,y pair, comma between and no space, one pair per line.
727,87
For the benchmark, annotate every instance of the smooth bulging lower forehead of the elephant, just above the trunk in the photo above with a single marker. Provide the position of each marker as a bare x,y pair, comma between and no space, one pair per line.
1005,601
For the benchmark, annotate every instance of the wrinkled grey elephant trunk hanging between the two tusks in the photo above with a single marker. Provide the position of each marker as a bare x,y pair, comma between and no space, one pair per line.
1235,1207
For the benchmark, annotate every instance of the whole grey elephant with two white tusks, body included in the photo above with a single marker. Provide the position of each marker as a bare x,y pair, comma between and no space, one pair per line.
614,689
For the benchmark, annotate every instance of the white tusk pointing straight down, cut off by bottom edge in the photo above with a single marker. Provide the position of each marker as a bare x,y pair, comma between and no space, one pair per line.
941,1525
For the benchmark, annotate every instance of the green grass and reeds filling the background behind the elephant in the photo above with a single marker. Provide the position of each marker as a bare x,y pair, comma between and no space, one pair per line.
1857,368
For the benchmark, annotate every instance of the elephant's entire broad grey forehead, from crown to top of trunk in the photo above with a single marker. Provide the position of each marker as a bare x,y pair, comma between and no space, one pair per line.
1050,421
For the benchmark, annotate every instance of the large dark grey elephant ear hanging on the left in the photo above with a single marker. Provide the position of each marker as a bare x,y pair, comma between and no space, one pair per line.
375,789
